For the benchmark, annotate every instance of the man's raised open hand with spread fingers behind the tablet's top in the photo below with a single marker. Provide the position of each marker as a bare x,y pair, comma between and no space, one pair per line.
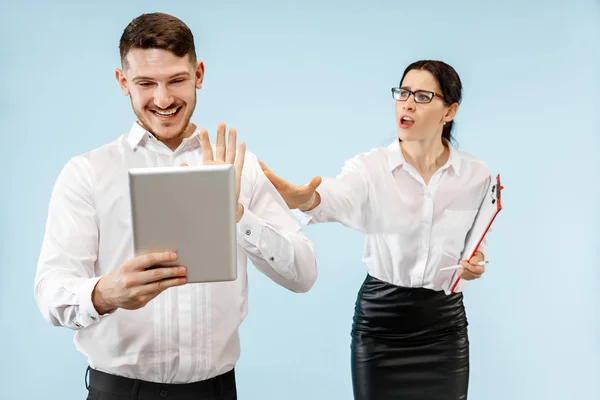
226,154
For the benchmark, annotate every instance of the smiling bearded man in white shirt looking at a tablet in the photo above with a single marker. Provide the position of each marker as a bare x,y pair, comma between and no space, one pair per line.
145,332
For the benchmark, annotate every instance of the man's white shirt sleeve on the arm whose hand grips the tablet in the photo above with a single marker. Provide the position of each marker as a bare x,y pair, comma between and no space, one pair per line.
65,273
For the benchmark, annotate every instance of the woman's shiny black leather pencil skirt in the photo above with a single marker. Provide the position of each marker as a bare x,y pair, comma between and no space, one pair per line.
409,344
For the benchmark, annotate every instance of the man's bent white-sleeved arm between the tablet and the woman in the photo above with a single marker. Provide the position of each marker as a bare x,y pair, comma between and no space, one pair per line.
271,237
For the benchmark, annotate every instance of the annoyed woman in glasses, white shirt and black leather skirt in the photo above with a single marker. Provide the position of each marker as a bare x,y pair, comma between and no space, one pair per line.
415,200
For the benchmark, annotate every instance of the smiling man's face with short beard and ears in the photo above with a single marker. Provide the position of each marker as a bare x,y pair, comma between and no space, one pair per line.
162,89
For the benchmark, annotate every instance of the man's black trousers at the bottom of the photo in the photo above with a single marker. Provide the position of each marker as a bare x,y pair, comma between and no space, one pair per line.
103,386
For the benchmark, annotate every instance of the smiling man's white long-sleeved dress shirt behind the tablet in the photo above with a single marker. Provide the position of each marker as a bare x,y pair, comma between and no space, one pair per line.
187,333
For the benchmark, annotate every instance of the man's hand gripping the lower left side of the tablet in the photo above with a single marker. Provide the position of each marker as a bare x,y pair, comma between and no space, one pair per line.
133,285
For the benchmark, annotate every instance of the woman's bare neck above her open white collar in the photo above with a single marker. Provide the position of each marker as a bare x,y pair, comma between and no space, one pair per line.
427,156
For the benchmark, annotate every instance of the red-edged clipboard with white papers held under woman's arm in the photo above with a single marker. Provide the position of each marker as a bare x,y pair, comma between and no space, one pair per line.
488,211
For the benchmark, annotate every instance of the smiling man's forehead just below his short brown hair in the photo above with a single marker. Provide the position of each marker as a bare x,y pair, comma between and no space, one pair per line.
156,63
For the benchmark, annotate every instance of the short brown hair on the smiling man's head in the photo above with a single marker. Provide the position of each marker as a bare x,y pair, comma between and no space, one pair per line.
158,31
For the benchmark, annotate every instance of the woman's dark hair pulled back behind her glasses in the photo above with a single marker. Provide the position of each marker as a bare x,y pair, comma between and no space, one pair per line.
449,83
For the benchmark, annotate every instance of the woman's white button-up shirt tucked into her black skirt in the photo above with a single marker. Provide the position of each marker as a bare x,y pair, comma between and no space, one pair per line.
412,229
